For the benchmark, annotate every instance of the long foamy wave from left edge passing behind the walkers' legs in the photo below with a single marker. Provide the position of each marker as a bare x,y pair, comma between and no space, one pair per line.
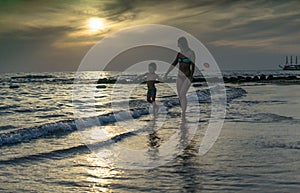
67,126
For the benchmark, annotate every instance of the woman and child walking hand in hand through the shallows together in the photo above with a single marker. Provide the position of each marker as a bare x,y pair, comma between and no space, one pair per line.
185,58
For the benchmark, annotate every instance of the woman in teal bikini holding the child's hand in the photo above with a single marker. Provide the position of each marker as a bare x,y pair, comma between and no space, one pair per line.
185,58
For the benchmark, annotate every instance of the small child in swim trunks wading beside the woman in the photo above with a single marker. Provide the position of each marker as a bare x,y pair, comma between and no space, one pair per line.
151,79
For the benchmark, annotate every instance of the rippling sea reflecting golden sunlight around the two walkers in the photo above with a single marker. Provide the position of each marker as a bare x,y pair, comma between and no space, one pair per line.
108,140
